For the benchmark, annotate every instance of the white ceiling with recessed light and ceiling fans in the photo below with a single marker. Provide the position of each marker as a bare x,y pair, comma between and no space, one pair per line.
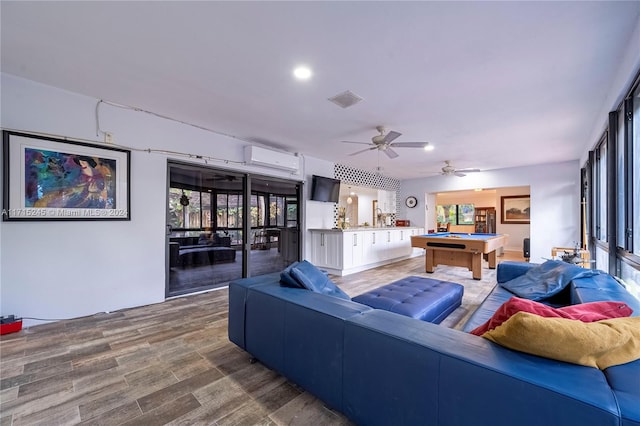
489,84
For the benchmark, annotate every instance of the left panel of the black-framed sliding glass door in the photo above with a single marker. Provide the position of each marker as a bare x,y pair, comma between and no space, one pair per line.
204,222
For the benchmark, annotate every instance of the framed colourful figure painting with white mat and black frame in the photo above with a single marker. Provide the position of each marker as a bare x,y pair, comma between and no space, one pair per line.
57,179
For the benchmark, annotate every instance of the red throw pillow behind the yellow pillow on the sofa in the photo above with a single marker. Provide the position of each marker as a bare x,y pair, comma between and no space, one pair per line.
585,312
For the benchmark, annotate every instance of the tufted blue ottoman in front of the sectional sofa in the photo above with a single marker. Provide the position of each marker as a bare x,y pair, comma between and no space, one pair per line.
421,298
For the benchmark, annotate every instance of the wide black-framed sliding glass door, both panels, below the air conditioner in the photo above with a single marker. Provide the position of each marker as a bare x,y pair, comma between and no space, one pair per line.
210,241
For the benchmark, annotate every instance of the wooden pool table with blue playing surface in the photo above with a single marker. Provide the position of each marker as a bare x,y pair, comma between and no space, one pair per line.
459,249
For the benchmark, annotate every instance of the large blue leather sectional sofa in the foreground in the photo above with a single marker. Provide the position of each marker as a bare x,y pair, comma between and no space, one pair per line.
381,368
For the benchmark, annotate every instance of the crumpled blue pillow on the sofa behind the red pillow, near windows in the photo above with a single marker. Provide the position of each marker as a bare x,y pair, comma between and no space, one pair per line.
546,280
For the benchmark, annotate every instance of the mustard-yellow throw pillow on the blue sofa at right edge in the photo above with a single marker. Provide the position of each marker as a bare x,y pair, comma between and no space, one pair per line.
599,344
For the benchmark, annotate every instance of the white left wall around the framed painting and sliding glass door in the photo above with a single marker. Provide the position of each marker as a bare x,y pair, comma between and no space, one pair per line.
71,269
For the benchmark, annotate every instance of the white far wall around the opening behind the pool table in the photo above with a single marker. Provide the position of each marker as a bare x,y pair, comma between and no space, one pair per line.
555,201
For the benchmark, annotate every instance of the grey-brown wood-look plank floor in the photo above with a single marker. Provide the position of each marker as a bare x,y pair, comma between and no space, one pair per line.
171,363
